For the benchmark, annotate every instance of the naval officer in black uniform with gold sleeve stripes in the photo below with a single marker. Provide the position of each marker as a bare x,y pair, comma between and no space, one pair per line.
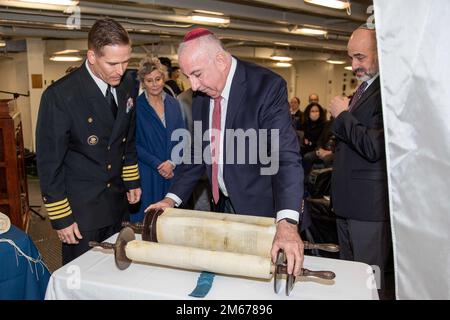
86,153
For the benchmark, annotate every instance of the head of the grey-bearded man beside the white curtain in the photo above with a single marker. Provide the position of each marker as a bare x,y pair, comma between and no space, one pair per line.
362,50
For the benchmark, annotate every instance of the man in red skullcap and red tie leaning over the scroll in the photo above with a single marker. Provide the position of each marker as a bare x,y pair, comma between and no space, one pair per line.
233,94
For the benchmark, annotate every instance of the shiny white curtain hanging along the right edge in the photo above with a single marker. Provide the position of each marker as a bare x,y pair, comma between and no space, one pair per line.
414,53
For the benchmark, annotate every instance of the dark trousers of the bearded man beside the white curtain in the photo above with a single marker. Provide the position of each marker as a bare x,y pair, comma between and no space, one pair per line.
368,242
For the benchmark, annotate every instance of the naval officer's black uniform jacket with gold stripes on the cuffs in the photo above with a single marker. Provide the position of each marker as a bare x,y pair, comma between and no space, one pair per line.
86,159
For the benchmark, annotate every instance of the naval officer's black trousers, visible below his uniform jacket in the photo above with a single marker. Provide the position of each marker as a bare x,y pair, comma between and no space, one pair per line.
72,251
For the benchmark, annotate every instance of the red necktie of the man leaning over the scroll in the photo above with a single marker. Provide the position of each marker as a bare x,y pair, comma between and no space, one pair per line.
215,148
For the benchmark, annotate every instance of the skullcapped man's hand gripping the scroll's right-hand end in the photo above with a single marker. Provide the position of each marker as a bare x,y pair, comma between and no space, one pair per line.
288,239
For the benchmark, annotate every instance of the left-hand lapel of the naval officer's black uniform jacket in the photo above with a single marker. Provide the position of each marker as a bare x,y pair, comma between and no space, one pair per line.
95,99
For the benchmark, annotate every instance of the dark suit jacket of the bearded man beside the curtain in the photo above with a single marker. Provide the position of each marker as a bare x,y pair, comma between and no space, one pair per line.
359,181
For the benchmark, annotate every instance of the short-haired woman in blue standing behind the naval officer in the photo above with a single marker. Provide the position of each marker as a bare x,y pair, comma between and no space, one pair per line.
157,116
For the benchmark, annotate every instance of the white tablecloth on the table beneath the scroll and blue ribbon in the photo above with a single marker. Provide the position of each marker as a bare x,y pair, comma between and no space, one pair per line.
94,275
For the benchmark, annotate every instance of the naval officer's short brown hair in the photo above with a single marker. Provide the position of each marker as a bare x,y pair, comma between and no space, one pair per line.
107,32
